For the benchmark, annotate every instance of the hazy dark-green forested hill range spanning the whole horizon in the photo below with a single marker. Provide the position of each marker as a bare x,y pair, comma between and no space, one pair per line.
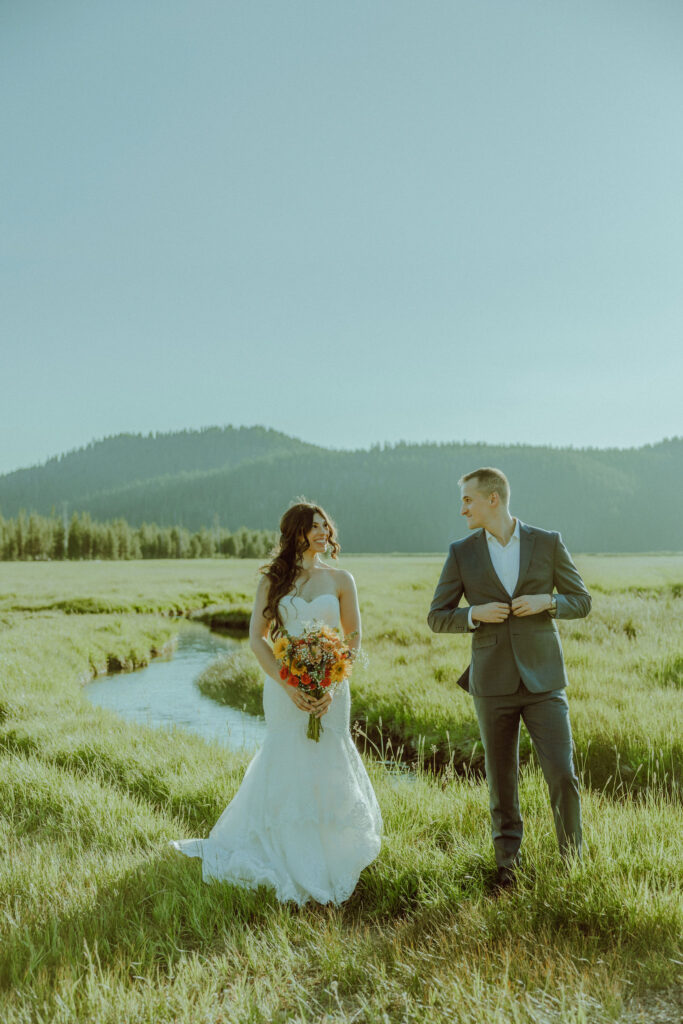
400,498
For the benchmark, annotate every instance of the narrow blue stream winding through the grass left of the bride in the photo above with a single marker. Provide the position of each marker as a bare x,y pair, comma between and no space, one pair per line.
164,695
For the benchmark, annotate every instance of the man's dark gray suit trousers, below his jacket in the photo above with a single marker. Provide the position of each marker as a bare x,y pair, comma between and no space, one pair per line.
547,719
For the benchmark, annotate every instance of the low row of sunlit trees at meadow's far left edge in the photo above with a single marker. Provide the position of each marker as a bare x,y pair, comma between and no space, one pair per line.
41,538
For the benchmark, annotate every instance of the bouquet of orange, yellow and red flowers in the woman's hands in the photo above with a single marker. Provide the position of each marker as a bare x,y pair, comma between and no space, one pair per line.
314,662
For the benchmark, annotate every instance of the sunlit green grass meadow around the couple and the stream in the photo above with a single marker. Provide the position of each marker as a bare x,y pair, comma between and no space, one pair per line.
101,923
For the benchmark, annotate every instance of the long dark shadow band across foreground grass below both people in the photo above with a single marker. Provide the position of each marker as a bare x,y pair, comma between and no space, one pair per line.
148,919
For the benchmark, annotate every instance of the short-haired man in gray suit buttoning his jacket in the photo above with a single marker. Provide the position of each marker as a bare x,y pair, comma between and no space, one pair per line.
507,573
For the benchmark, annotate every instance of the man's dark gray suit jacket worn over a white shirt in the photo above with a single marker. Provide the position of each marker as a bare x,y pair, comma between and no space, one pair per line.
527,649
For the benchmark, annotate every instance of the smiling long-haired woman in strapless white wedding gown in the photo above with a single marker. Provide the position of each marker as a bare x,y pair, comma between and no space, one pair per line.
306,821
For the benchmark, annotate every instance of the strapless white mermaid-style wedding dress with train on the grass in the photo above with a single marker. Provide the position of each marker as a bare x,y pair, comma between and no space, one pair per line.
306,821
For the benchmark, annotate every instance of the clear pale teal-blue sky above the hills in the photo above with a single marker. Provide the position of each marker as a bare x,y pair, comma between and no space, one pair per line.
352,221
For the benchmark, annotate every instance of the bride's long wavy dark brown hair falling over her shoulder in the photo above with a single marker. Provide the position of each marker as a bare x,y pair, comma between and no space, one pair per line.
285,565
